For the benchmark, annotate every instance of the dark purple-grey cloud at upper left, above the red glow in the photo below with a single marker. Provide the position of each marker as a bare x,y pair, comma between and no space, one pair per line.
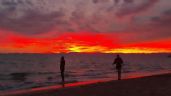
32,23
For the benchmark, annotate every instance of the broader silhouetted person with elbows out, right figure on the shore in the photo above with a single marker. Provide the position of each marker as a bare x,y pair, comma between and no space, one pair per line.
118,61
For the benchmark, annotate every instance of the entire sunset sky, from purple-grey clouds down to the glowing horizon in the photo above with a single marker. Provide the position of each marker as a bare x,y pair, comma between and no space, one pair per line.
107,26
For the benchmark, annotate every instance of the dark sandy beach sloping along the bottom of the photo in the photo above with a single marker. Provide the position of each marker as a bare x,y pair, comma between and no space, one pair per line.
158,85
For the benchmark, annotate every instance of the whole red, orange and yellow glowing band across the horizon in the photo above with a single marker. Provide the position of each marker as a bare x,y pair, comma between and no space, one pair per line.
89,43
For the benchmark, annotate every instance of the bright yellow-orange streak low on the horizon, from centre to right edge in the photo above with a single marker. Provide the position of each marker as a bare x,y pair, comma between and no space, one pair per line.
92,49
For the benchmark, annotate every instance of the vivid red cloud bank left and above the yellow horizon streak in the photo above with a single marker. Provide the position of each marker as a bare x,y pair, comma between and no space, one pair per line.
62,43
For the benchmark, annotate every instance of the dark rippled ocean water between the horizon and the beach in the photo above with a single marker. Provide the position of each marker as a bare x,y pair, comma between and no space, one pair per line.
23,71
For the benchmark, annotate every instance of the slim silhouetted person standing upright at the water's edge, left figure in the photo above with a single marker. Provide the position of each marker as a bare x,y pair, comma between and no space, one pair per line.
62,68
